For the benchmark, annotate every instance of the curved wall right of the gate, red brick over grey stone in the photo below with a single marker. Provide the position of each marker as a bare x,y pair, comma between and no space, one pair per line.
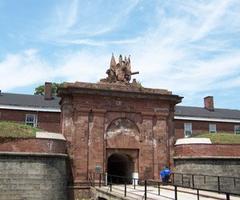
221,162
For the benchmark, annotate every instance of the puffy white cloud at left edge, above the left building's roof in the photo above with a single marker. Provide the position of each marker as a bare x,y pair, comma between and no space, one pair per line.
23,69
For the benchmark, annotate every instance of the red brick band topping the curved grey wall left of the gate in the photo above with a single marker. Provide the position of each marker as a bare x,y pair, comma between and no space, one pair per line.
33,145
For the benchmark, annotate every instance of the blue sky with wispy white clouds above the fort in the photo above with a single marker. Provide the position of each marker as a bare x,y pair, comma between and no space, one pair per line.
189,47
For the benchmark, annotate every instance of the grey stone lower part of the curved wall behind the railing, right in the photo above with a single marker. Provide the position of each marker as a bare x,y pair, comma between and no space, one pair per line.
215,168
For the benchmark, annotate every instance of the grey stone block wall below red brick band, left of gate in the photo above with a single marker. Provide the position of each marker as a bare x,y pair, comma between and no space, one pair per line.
29,177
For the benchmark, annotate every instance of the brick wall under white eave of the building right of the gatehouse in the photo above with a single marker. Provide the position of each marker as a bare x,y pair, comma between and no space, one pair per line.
201,126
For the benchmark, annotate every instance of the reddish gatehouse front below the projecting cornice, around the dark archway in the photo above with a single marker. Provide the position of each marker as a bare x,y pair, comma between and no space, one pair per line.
85,123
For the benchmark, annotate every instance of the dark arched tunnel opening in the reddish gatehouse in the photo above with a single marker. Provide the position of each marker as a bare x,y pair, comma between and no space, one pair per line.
120,168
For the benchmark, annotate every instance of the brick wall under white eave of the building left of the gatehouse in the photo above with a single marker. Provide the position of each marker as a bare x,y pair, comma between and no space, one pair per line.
48,121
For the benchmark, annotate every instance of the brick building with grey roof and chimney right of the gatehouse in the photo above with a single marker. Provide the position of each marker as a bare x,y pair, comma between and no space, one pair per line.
196,120
